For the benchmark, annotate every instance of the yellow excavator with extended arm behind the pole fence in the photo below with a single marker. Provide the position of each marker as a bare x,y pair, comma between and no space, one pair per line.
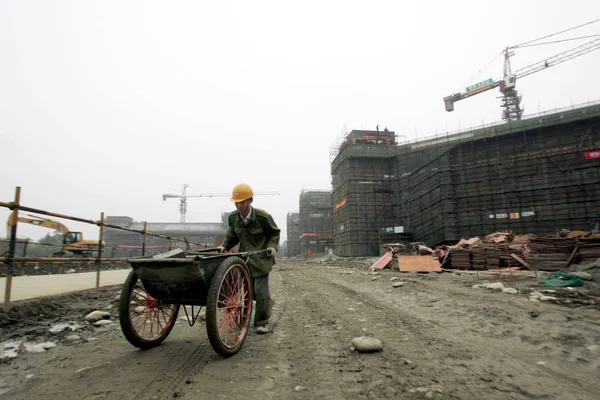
73,244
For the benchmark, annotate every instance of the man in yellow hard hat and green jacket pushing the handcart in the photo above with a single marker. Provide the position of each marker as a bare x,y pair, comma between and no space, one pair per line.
254,229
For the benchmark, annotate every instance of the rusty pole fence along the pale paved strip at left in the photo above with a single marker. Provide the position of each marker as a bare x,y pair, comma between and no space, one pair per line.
12,240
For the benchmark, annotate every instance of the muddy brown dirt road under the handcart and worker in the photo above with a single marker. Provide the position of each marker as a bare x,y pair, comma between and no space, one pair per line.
442,339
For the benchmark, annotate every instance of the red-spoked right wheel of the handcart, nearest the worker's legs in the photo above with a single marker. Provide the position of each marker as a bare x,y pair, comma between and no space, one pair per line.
229,306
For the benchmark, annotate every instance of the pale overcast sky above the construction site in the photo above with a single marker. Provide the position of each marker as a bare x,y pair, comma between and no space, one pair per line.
106,105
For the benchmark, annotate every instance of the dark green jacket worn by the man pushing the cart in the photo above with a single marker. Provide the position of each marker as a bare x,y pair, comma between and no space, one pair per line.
260,233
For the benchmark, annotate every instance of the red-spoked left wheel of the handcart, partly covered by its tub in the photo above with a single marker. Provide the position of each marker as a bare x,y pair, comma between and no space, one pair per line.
145,321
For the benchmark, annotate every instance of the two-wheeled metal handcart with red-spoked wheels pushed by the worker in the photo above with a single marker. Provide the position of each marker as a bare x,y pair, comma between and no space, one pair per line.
157,286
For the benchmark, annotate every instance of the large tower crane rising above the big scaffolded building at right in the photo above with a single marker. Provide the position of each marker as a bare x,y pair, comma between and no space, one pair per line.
510,100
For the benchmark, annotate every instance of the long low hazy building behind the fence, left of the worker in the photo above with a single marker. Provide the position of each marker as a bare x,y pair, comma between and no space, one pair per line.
121,243
